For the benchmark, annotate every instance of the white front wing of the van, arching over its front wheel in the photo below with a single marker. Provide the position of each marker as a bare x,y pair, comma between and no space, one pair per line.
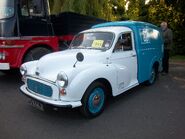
88,76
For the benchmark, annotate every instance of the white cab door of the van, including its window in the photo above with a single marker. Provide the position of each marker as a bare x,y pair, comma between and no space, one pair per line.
125,59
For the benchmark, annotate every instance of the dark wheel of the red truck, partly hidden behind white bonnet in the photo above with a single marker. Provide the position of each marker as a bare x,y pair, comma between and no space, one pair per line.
35,54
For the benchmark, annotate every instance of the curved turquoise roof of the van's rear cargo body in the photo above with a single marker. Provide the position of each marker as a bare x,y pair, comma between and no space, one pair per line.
130,24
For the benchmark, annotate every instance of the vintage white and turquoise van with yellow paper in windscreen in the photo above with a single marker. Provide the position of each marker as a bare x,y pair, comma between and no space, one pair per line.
108,59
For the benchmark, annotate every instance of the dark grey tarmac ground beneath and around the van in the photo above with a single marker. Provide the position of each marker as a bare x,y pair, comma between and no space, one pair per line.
155,112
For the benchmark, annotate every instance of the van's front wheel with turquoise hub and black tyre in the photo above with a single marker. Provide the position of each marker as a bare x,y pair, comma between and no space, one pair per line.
93,101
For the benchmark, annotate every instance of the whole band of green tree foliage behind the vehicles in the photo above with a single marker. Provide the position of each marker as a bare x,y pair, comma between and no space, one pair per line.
155,12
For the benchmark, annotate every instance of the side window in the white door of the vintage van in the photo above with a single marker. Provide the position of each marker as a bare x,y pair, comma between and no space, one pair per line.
124,43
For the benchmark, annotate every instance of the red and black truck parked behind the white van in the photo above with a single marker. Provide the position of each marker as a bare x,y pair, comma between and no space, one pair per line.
28,30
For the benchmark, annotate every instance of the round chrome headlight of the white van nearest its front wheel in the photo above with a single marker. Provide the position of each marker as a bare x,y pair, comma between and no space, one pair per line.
62,79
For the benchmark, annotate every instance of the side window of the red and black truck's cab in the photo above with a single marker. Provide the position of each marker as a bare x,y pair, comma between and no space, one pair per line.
32,8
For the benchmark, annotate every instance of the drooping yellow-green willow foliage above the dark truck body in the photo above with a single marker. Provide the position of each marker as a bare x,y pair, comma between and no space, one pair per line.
87,7
